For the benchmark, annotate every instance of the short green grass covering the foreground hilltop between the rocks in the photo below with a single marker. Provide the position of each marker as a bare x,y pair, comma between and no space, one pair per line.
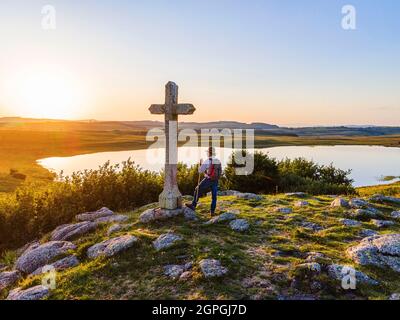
263,262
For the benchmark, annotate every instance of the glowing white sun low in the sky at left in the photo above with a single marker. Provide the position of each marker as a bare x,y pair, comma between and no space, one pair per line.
46,93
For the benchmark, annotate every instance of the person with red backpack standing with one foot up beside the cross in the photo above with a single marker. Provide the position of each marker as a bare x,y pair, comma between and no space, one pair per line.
212,171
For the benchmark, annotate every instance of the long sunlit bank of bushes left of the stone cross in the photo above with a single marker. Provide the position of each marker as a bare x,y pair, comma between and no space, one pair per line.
33,211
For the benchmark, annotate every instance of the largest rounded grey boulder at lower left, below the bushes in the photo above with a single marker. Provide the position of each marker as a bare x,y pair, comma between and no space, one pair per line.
37,256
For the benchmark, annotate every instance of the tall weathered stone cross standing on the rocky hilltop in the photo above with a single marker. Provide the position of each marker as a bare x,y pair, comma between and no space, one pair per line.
171,198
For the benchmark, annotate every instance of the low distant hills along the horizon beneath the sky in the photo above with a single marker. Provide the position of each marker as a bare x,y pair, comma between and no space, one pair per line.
261,128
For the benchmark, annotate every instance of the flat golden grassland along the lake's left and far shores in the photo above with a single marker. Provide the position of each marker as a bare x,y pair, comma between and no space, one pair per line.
21,147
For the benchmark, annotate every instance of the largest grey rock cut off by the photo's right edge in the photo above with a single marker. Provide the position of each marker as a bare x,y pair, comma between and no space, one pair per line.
380,250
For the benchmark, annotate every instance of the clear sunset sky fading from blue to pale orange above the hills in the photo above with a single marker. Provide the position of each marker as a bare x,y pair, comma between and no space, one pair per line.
283,62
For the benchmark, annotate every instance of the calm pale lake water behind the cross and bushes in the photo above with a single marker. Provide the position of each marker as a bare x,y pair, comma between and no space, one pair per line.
368,163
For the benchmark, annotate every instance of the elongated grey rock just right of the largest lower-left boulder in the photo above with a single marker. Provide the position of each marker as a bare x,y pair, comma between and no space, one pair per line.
111,247
